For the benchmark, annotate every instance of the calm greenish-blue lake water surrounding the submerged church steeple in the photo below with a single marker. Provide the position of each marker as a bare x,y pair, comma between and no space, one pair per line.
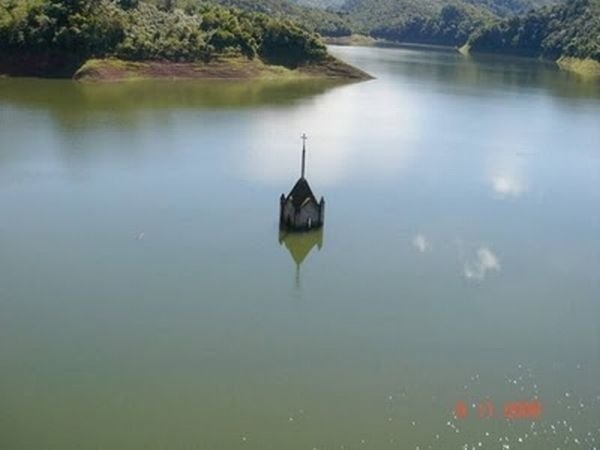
147,300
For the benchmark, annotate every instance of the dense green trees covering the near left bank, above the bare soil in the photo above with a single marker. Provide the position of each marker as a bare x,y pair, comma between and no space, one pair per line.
61,34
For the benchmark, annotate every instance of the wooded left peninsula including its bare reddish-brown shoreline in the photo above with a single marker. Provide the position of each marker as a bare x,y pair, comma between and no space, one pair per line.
110,40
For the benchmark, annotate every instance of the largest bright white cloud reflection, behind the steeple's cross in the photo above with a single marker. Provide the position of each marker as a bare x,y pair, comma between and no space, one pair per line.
354,131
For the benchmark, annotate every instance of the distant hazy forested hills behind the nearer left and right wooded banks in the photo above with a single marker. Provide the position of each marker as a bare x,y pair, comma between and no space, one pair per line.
443,22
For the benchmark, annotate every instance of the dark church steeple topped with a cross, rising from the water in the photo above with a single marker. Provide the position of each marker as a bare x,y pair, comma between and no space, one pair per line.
300,210
